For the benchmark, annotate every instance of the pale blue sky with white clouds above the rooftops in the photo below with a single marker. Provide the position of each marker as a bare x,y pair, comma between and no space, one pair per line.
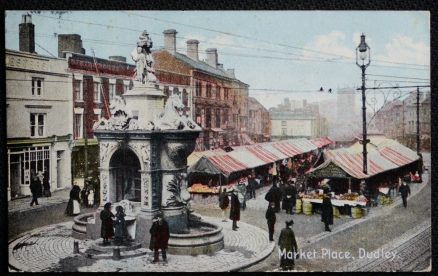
278,53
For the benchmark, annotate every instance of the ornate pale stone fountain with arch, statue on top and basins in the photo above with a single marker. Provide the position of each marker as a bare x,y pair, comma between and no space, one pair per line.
143,166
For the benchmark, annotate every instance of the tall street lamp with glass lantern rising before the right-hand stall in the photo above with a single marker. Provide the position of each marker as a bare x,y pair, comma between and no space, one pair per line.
363,52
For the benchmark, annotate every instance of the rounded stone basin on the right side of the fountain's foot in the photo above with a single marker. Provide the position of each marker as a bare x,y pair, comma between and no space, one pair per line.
203,238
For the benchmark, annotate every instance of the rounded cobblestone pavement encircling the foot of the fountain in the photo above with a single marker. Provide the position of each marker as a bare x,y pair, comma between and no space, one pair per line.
51,249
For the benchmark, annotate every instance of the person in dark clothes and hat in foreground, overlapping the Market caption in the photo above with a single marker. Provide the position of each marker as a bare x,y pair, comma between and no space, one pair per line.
287,244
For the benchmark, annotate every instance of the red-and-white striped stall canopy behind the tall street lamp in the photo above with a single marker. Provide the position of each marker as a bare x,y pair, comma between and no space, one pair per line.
382,156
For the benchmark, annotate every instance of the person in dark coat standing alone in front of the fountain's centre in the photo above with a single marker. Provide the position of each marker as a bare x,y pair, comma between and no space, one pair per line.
159,237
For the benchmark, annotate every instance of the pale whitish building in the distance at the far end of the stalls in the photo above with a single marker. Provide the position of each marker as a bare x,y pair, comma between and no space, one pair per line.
305,122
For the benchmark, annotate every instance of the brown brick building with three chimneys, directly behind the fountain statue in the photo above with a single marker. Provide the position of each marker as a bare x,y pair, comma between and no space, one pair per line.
215,99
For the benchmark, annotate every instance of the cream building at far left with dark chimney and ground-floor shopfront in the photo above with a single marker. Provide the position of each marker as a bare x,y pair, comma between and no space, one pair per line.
38,90
